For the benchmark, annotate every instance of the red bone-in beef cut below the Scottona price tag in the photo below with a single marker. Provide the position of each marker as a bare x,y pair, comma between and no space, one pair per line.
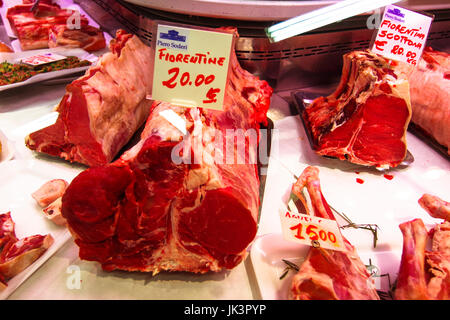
365,119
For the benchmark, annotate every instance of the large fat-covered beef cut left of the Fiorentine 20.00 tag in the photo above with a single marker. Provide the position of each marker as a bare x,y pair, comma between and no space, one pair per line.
103,109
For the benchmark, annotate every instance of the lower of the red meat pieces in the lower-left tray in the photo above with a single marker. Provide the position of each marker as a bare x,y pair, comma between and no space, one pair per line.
22,254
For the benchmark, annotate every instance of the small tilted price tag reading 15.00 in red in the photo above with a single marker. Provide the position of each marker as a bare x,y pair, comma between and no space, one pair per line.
311,230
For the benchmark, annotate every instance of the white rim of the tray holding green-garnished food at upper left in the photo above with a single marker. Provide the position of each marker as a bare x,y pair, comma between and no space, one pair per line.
16,57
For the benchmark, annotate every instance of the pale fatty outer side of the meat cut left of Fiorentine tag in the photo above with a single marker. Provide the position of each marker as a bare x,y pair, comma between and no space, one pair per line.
120,84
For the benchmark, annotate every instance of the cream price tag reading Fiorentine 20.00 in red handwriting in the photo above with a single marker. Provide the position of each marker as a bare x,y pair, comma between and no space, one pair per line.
191,66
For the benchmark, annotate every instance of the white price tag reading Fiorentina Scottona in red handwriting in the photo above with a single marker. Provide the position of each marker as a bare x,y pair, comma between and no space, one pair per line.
402,35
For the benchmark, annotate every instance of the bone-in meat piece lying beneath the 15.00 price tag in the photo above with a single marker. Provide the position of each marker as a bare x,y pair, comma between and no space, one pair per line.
328,274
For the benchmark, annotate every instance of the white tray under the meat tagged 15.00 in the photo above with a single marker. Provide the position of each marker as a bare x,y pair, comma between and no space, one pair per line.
380,201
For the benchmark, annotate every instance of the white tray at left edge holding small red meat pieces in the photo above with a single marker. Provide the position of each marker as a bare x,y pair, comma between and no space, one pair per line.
19,178
